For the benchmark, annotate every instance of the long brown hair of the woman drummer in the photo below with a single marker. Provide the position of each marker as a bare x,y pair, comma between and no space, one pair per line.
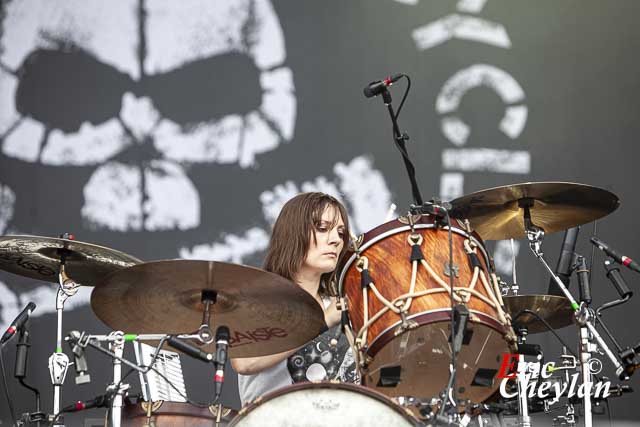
291,236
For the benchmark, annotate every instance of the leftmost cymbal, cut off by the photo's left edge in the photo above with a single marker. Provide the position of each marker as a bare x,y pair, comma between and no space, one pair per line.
39,258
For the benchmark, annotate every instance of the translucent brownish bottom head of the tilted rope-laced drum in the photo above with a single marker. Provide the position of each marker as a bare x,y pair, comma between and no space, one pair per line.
416,363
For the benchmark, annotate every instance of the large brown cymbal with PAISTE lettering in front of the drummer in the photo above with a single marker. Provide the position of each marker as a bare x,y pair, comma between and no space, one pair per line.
265,312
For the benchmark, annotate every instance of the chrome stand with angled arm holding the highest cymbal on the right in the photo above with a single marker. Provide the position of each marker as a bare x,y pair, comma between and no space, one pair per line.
535,235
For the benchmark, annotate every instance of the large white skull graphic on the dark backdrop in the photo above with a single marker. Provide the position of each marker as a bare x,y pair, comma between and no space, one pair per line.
140,91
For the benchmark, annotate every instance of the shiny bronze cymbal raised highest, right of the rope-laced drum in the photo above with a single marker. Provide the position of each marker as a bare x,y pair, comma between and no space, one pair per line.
496,213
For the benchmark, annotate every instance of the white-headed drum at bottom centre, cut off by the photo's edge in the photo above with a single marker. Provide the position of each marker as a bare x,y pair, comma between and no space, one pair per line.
321,405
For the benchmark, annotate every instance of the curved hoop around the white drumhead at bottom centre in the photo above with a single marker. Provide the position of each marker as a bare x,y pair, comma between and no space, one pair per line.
324,385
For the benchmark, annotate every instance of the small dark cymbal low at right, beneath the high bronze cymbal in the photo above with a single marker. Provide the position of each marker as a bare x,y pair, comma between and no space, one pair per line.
556,310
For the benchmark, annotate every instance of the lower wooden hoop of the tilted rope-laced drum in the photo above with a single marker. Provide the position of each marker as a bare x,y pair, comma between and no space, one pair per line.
431,316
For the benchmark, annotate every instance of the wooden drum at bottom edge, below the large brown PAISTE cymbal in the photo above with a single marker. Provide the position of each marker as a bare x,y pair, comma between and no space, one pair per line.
171,414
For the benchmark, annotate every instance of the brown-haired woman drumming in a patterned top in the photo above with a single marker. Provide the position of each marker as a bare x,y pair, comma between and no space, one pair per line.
308,238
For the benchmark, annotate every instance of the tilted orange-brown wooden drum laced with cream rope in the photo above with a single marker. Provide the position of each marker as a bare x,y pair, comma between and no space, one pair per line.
397,284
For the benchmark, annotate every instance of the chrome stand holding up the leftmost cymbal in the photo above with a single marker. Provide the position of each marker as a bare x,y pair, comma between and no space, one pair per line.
59,361
